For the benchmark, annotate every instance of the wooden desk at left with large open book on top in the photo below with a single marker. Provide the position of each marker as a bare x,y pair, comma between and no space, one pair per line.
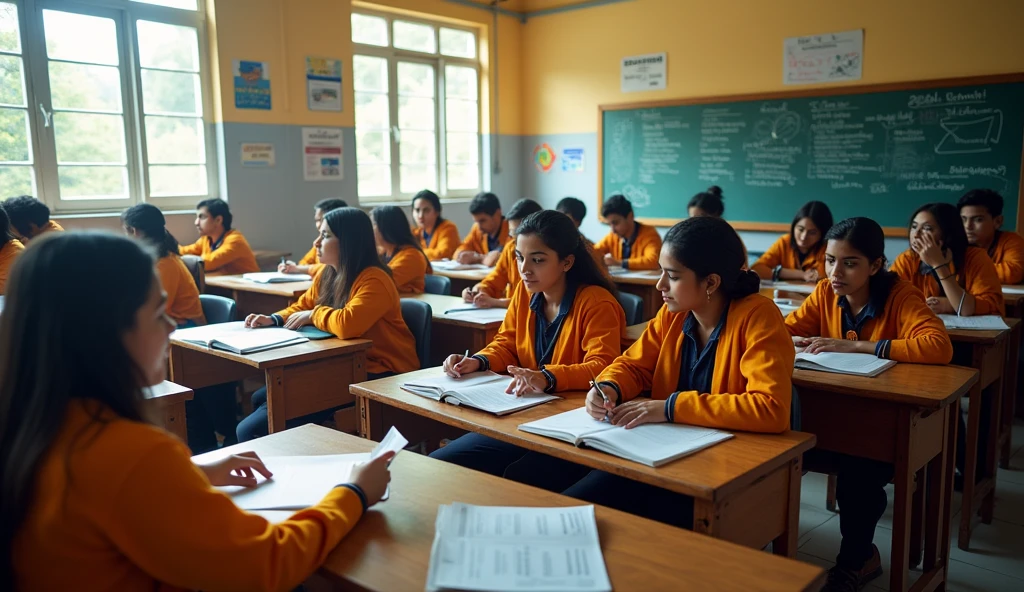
301,379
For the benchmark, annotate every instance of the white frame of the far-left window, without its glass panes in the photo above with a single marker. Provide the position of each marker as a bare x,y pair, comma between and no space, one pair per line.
42,150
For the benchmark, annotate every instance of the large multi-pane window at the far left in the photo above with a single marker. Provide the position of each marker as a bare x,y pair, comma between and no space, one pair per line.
102,104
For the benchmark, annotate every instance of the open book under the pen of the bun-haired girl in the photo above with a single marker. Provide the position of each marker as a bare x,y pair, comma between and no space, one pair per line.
652,444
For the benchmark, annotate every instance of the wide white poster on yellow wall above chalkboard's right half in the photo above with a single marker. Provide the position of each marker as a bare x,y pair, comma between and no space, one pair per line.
829,58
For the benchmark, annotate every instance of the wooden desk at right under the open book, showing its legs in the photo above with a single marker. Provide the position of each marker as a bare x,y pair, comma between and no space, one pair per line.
906,416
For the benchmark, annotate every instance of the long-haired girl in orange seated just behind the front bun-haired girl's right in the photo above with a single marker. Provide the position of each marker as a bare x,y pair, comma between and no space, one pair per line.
801,255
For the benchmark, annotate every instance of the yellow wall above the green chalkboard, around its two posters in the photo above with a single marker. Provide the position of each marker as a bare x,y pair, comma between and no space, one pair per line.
572,60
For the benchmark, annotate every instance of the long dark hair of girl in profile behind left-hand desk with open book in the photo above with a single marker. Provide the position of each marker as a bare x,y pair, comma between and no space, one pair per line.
355,233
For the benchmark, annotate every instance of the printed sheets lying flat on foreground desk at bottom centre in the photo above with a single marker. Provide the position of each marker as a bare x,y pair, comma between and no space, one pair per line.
517,549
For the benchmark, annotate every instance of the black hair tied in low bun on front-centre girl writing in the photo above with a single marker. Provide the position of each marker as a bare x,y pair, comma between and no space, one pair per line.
707,246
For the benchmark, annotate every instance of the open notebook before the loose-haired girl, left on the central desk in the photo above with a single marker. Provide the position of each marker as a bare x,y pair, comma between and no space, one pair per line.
484,391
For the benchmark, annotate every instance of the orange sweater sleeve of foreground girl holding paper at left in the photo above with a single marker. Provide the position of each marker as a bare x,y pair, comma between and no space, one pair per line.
168,521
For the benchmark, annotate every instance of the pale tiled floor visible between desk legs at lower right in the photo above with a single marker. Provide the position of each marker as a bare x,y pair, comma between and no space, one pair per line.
995,564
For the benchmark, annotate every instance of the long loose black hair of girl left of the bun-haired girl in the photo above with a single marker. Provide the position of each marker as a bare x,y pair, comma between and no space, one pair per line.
560,234
